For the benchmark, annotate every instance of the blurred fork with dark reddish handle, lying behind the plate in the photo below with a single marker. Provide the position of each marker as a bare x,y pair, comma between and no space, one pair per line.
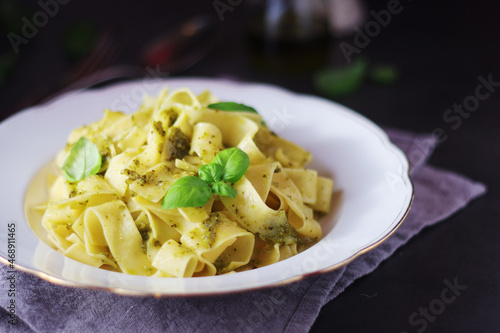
173,52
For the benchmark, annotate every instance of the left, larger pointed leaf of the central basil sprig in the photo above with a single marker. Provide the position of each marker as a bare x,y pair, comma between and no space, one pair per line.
189,191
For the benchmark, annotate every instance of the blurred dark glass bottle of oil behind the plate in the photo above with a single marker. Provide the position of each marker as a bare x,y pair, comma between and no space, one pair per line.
287,36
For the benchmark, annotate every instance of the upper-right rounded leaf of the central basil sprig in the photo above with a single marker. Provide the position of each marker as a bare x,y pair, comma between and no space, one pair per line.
234,162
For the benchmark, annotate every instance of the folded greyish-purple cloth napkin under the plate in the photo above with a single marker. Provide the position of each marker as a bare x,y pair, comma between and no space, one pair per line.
43,307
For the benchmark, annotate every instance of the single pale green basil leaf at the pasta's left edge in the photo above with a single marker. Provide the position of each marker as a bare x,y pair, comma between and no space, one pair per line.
83,160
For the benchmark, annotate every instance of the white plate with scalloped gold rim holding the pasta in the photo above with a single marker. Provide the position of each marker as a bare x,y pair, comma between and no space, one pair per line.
369,171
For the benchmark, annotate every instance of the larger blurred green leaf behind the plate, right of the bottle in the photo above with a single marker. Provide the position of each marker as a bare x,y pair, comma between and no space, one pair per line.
341,81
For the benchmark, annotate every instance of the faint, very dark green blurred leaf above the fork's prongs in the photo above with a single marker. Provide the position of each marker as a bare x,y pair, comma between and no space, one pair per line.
79,39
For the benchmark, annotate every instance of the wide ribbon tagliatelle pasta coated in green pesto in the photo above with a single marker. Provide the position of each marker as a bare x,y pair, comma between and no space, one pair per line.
114,219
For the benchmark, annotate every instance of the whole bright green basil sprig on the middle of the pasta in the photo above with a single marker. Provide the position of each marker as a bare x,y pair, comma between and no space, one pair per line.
190,191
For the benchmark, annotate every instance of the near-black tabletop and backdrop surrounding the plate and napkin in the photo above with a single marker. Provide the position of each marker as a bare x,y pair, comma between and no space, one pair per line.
440,49
